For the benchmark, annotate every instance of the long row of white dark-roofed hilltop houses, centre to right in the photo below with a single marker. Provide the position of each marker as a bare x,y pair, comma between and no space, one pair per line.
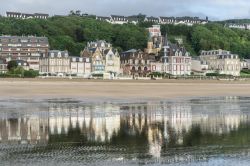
116,19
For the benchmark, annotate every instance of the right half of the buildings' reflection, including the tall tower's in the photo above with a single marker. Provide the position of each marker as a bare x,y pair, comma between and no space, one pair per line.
178,118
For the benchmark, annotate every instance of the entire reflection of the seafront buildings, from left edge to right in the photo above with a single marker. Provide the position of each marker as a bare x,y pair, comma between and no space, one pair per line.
160,121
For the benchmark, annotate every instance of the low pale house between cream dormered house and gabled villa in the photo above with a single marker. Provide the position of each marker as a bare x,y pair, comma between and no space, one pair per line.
80,66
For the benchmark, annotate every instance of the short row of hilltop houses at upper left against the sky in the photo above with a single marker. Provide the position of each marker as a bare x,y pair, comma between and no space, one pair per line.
26,16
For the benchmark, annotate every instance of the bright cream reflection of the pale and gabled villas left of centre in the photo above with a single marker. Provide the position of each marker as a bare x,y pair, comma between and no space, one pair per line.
97,123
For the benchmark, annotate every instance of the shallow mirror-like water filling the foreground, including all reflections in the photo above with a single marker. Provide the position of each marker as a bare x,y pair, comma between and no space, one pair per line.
205,131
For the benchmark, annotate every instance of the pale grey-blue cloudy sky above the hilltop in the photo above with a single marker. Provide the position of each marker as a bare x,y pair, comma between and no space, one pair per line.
214,9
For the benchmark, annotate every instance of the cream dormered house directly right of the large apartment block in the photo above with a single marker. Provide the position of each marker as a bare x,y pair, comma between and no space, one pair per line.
55,63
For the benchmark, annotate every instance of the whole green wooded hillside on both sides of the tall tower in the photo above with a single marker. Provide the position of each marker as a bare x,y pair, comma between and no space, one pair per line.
73,32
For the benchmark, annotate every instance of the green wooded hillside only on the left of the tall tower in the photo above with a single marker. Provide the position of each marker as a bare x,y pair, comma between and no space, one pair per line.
72,32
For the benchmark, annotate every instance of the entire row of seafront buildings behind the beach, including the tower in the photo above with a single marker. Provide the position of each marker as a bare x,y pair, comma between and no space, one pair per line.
101,59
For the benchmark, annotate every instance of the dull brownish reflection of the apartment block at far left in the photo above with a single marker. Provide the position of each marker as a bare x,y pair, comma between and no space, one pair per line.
24,130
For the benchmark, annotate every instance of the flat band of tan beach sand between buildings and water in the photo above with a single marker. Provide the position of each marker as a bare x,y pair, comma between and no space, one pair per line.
120,90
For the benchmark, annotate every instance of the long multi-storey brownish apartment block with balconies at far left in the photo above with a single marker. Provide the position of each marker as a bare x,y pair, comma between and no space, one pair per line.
26,48
